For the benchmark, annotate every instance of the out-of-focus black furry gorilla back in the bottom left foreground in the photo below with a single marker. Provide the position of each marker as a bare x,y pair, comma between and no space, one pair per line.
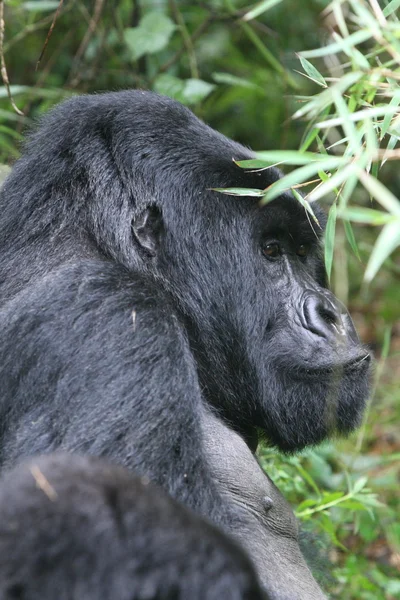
80,529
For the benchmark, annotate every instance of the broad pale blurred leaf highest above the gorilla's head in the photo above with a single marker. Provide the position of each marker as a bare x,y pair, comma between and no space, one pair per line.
152,35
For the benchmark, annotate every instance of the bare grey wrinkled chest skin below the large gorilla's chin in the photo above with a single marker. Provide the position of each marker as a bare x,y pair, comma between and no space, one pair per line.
266,526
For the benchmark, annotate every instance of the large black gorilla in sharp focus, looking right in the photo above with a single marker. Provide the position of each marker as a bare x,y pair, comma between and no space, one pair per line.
139,307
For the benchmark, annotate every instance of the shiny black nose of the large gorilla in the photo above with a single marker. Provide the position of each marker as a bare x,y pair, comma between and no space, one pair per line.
325,316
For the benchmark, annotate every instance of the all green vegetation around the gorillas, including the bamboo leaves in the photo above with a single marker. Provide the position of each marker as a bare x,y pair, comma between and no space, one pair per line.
330,116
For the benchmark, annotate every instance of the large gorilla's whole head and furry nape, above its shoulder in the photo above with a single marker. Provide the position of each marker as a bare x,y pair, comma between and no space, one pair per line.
131,174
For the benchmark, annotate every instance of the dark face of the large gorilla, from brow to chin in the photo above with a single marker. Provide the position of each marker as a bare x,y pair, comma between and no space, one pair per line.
272,343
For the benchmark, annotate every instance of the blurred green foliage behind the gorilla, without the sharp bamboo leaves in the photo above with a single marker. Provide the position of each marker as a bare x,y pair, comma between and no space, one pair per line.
240,75
